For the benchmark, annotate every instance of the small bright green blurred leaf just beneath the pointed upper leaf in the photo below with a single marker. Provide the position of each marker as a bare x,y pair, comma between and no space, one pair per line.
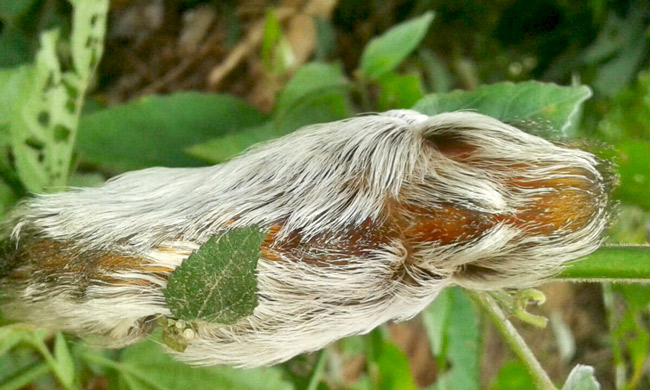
399,91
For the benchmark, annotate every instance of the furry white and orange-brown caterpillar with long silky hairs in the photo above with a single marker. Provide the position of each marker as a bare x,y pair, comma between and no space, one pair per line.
369,218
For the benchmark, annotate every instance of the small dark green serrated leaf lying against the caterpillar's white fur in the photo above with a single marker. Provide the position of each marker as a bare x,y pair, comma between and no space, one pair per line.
217,283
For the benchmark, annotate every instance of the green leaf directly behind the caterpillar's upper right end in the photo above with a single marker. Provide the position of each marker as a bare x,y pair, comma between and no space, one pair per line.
546,104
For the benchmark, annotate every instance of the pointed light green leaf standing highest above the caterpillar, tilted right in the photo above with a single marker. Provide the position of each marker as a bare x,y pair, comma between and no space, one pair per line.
386,52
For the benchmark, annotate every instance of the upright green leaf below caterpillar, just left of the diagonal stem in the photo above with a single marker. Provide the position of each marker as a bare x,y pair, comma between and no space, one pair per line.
456,337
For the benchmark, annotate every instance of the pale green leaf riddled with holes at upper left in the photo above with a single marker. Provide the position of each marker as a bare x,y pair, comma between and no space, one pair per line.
45,114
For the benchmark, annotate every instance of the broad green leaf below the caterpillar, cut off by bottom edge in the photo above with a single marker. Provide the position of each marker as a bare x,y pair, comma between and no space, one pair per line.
146,366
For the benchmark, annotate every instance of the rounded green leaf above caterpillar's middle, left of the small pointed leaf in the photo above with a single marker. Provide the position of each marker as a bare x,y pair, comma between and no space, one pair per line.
310,80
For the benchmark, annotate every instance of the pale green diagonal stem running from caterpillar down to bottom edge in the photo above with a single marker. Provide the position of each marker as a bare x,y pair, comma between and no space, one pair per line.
514,340
